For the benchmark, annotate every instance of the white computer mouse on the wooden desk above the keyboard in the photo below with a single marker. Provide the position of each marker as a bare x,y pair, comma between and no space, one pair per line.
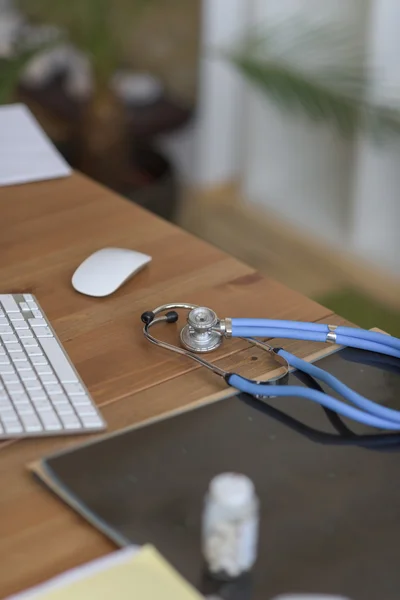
104,271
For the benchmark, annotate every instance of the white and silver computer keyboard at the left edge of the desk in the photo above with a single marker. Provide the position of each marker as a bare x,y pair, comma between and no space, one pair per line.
40,391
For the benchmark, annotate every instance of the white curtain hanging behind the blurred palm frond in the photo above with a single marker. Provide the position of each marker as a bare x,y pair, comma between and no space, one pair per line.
345,192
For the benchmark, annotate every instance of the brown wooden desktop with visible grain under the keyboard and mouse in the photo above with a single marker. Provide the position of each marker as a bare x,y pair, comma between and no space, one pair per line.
46,230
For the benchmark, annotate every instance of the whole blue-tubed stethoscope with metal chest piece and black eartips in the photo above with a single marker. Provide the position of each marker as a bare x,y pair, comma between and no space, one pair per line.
204,332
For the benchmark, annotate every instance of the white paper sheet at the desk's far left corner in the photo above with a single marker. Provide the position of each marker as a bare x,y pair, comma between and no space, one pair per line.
26,153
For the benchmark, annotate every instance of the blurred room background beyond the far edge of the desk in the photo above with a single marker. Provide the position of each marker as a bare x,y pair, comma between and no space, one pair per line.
269,127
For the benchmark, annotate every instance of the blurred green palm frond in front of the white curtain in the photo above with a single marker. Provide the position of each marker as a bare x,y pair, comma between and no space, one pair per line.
318,71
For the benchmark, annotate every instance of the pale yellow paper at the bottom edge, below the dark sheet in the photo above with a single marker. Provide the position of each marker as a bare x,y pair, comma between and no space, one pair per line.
144,576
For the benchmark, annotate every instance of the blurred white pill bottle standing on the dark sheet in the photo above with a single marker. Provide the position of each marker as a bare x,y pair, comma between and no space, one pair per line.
230,526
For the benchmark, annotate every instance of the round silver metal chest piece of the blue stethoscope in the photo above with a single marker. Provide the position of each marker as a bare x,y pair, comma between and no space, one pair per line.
199,335
